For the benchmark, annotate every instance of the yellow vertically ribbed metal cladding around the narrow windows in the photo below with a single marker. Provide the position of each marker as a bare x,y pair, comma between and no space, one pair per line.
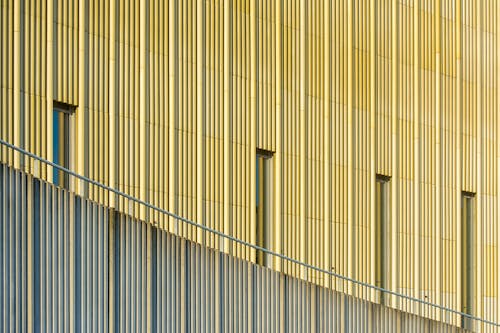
175,97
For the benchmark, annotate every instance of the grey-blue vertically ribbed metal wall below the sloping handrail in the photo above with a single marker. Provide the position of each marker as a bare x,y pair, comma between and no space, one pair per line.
70,264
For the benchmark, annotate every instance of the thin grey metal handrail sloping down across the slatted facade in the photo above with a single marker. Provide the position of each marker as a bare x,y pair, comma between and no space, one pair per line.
242,242
